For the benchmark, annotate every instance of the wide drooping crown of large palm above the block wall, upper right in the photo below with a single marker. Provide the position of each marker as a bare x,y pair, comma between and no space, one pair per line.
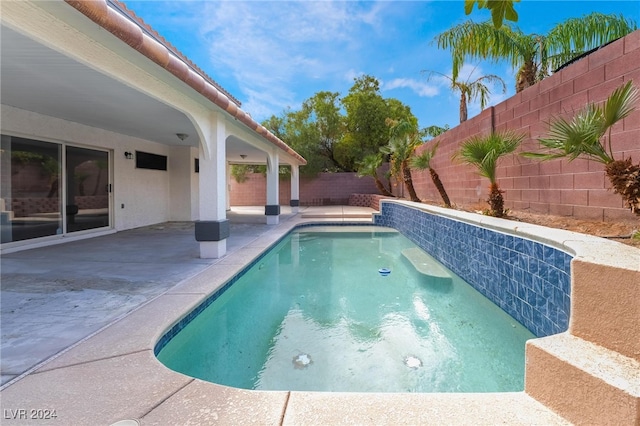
534,55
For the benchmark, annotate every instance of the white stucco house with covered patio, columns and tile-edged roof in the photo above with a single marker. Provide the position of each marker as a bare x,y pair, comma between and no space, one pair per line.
92,75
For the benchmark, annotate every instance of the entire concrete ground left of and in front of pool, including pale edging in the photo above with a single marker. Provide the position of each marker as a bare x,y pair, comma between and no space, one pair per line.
105,371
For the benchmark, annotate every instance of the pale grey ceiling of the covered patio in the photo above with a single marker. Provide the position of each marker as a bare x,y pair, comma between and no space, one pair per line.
37,78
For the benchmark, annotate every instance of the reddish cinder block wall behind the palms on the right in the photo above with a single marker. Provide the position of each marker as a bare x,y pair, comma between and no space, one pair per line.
579,188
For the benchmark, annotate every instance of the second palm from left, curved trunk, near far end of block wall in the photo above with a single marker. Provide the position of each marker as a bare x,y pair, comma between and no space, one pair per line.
404,139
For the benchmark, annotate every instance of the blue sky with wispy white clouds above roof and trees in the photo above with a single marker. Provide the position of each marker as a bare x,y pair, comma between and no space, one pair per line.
273,55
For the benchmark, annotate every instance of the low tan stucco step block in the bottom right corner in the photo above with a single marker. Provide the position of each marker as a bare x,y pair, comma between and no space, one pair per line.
583,382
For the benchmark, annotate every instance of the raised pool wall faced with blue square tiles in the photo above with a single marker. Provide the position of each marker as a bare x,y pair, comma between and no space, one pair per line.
527,279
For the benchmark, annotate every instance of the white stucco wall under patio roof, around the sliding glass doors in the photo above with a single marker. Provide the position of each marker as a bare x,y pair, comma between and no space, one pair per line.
145,194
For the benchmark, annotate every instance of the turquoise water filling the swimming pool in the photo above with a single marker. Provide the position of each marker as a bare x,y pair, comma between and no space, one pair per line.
316,314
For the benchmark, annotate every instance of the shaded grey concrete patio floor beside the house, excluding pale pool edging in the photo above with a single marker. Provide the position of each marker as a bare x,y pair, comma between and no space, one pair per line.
53,297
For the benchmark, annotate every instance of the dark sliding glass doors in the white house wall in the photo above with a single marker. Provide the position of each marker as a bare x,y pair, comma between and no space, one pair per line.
51,189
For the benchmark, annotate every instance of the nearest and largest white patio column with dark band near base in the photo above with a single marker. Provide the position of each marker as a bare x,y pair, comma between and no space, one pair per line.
212,229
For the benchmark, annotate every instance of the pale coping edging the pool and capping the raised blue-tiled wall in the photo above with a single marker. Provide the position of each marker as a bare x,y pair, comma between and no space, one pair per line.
114,375
